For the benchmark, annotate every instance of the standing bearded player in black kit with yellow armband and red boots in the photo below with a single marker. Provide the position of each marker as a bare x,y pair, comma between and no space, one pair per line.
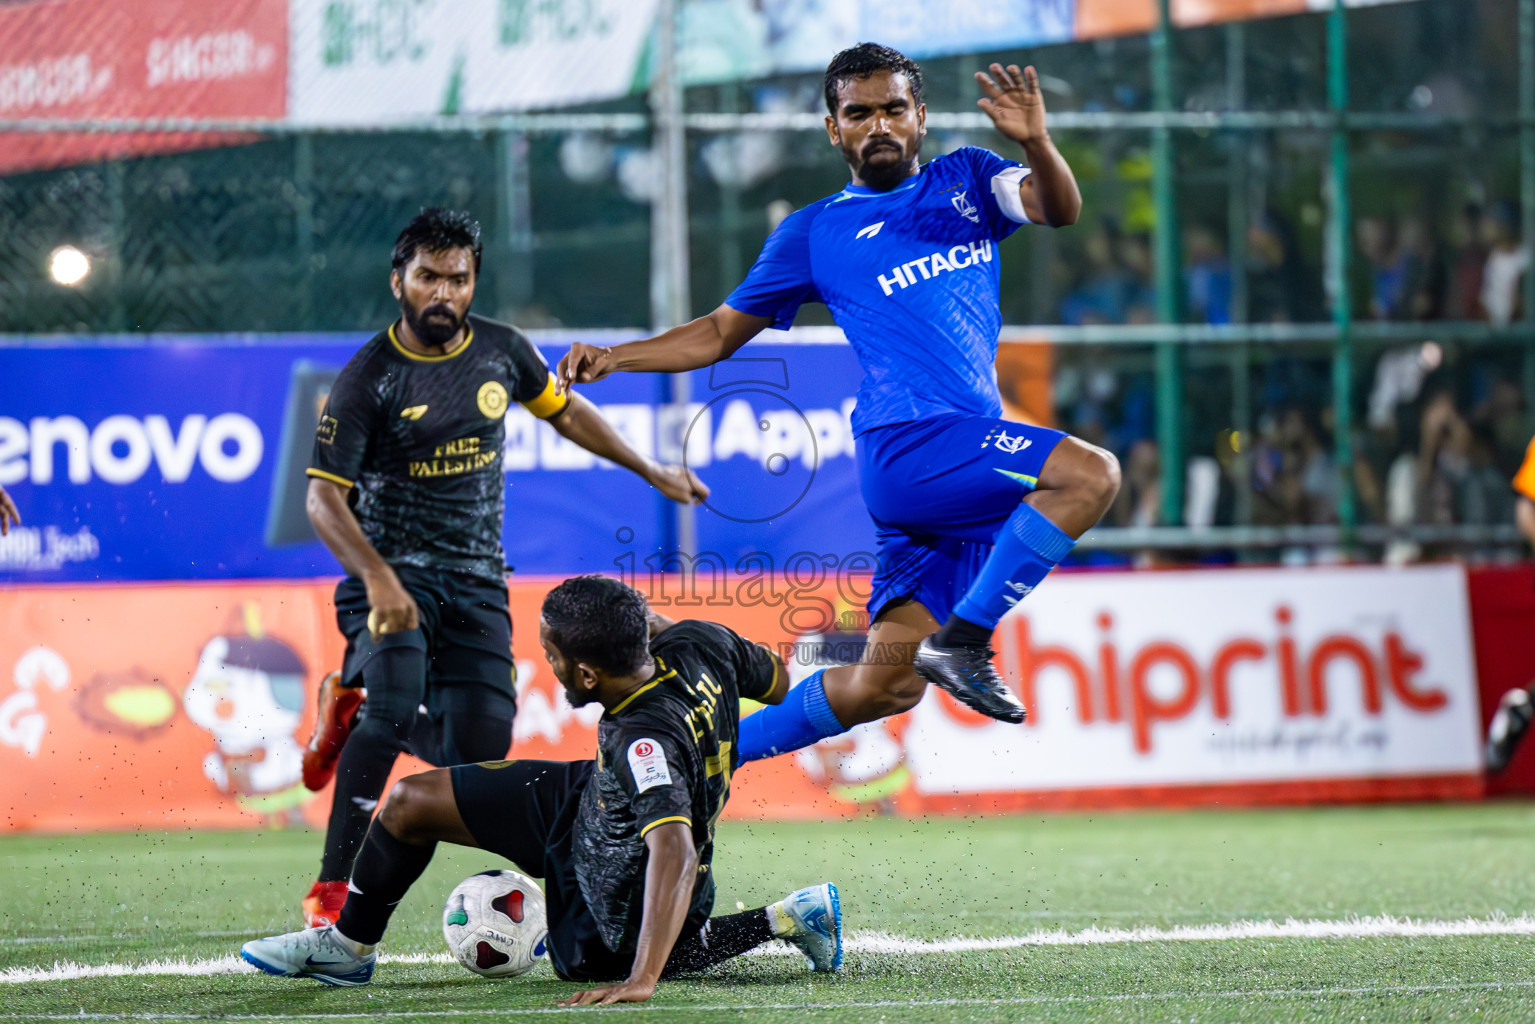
408,491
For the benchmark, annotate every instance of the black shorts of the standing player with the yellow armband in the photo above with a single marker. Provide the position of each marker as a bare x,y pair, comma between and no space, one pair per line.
466,633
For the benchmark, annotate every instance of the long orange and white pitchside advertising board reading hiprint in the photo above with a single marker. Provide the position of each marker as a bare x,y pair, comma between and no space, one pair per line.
188,705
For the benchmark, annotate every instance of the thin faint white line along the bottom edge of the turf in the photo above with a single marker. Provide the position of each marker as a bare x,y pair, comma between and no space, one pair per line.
1247,996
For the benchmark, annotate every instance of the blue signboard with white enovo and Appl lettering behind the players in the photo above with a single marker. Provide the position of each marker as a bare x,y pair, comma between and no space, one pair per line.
183,458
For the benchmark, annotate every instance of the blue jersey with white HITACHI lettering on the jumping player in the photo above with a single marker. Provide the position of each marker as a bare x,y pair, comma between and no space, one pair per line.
911,277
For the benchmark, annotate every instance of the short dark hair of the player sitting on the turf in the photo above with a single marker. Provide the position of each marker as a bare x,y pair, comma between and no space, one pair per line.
599,621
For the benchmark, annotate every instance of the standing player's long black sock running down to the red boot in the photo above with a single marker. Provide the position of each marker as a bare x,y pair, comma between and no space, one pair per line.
395,679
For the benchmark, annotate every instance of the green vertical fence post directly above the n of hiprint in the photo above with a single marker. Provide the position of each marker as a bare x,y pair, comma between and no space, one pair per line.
1339,254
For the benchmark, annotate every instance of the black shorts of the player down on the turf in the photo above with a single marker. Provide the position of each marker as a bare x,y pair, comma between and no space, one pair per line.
526,811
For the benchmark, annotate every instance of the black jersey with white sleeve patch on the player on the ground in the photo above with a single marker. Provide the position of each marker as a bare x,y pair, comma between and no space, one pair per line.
665,755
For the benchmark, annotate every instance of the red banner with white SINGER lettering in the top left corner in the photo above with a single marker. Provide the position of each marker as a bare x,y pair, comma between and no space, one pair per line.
151,59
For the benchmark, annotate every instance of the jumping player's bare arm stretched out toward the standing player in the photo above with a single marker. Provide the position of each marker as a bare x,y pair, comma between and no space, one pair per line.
690,346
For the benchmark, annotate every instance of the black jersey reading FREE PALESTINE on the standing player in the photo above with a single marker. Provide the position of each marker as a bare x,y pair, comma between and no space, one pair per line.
420,440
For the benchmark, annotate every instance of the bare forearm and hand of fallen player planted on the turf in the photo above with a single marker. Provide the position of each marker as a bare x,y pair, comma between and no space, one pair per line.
670,879
